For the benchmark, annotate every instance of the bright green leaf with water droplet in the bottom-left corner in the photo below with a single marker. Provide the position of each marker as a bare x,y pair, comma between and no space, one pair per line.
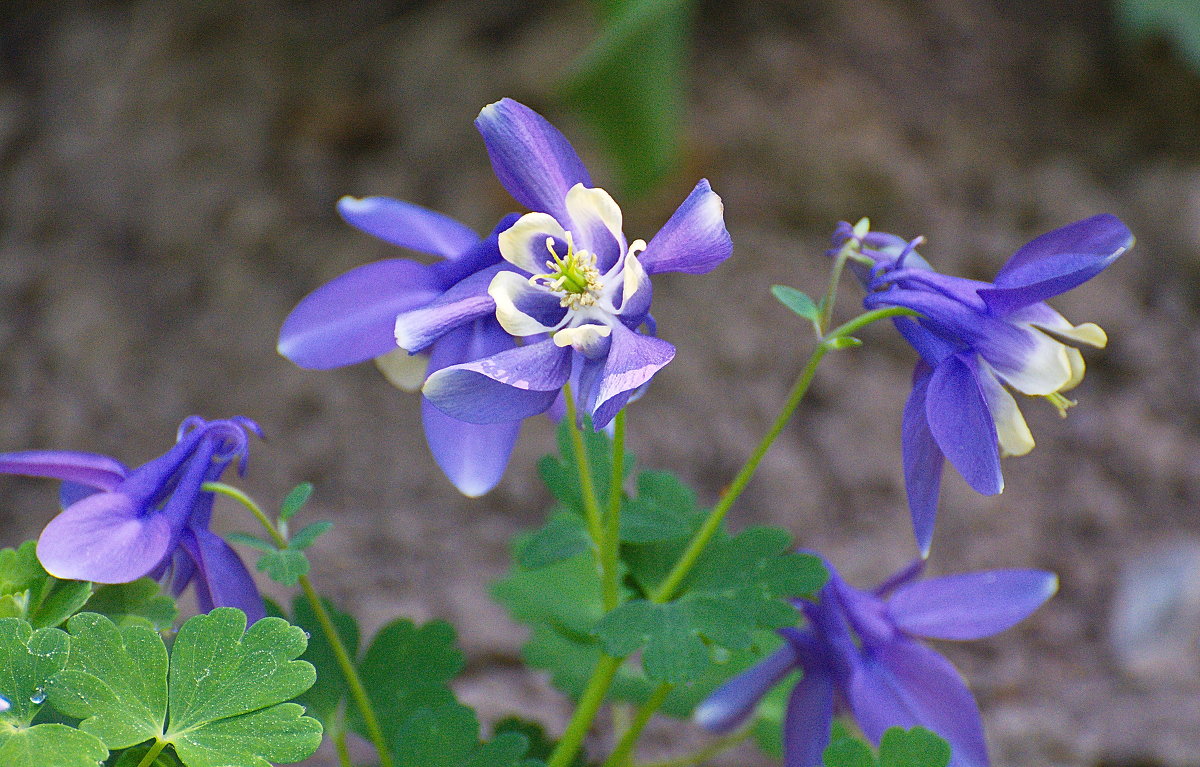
28,662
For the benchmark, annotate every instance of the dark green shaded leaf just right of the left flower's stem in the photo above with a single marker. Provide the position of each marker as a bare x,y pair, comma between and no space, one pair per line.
406,669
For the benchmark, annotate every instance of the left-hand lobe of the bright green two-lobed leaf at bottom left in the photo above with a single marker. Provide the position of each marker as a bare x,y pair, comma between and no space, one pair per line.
116,681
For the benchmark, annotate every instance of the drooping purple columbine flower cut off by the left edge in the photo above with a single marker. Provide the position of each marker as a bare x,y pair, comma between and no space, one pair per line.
119,525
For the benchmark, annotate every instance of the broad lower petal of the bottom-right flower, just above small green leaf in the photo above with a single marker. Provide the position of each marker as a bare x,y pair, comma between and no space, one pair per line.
907,685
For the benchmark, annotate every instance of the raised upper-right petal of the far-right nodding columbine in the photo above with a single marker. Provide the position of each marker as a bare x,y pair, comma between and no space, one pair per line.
1058,262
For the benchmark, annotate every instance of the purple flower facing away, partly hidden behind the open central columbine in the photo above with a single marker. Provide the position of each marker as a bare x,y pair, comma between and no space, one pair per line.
353,320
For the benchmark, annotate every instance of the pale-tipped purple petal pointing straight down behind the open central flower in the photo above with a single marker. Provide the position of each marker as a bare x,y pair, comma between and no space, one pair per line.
472,456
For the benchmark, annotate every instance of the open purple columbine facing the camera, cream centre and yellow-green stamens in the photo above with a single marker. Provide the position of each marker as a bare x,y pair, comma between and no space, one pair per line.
573,289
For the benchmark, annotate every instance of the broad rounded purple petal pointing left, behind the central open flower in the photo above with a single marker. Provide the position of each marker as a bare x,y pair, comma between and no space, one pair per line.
353,319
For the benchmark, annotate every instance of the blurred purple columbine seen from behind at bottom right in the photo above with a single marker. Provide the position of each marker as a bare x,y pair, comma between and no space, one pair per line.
860,654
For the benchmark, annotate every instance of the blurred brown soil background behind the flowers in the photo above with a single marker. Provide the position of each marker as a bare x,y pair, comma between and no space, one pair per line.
169,173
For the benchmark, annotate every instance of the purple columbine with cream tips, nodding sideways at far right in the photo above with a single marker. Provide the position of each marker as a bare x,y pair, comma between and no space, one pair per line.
976,340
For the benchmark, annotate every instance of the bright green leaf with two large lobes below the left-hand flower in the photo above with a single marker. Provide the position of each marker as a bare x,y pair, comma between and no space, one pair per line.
225,688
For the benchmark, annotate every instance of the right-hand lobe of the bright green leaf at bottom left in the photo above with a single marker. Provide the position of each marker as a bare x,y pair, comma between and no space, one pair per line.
227,688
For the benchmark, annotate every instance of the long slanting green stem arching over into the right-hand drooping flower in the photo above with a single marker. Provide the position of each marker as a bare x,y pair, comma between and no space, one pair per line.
713,524
